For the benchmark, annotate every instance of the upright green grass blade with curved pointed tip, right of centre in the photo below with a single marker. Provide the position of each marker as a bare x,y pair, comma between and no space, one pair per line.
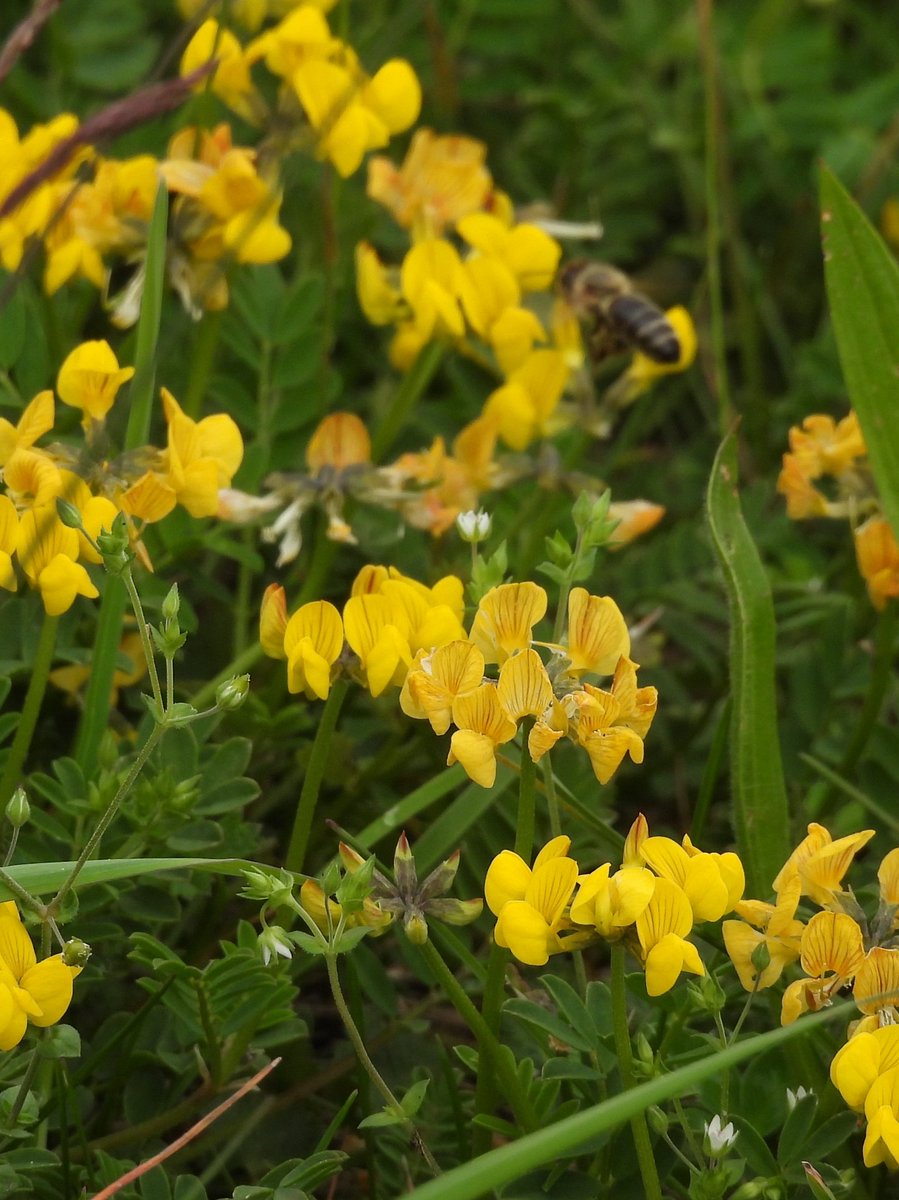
762,819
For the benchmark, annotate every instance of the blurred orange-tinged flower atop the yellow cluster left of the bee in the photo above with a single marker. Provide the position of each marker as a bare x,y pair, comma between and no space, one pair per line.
442,179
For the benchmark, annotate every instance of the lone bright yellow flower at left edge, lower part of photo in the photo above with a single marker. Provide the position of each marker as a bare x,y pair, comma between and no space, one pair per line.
33,992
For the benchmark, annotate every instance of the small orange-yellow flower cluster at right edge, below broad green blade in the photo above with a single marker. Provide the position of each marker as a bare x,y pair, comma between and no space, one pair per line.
823,451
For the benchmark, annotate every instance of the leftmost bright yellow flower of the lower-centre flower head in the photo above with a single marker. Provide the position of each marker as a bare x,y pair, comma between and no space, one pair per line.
530,905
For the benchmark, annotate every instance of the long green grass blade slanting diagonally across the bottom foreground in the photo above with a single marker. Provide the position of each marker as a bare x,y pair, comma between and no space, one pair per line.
500,1167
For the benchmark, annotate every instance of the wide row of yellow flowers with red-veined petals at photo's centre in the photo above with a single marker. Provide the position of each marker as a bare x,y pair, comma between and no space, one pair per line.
405,634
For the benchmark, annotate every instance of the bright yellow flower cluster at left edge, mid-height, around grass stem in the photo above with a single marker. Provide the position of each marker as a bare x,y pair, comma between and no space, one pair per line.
200,459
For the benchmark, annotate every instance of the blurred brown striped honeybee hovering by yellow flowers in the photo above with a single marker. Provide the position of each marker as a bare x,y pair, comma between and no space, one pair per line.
616,315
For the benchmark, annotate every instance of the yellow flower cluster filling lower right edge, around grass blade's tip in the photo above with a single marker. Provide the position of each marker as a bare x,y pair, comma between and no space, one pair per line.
836,949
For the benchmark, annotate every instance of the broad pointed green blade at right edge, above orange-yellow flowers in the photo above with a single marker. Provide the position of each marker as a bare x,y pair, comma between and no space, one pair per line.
864,292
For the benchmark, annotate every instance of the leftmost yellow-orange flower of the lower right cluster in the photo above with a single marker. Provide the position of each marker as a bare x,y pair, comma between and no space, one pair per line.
776,928
